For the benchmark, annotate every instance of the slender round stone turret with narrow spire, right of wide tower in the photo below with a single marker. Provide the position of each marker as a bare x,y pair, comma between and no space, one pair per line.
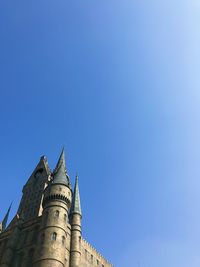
75,221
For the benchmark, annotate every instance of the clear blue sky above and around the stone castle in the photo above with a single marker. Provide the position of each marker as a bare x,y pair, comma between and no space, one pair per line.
117,83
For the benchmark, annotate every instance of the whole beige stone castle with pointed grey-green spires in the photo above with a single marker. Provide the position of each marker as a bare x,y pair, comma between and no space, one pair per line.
46,231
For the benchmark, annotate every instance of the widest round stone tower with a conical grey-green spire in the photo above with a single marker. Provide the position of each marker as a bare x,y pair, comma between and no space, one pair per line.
53,245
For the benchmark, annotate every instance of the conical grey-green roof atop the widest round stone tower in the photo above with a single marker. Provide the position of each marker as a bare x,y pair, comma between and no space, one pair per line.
60,175
